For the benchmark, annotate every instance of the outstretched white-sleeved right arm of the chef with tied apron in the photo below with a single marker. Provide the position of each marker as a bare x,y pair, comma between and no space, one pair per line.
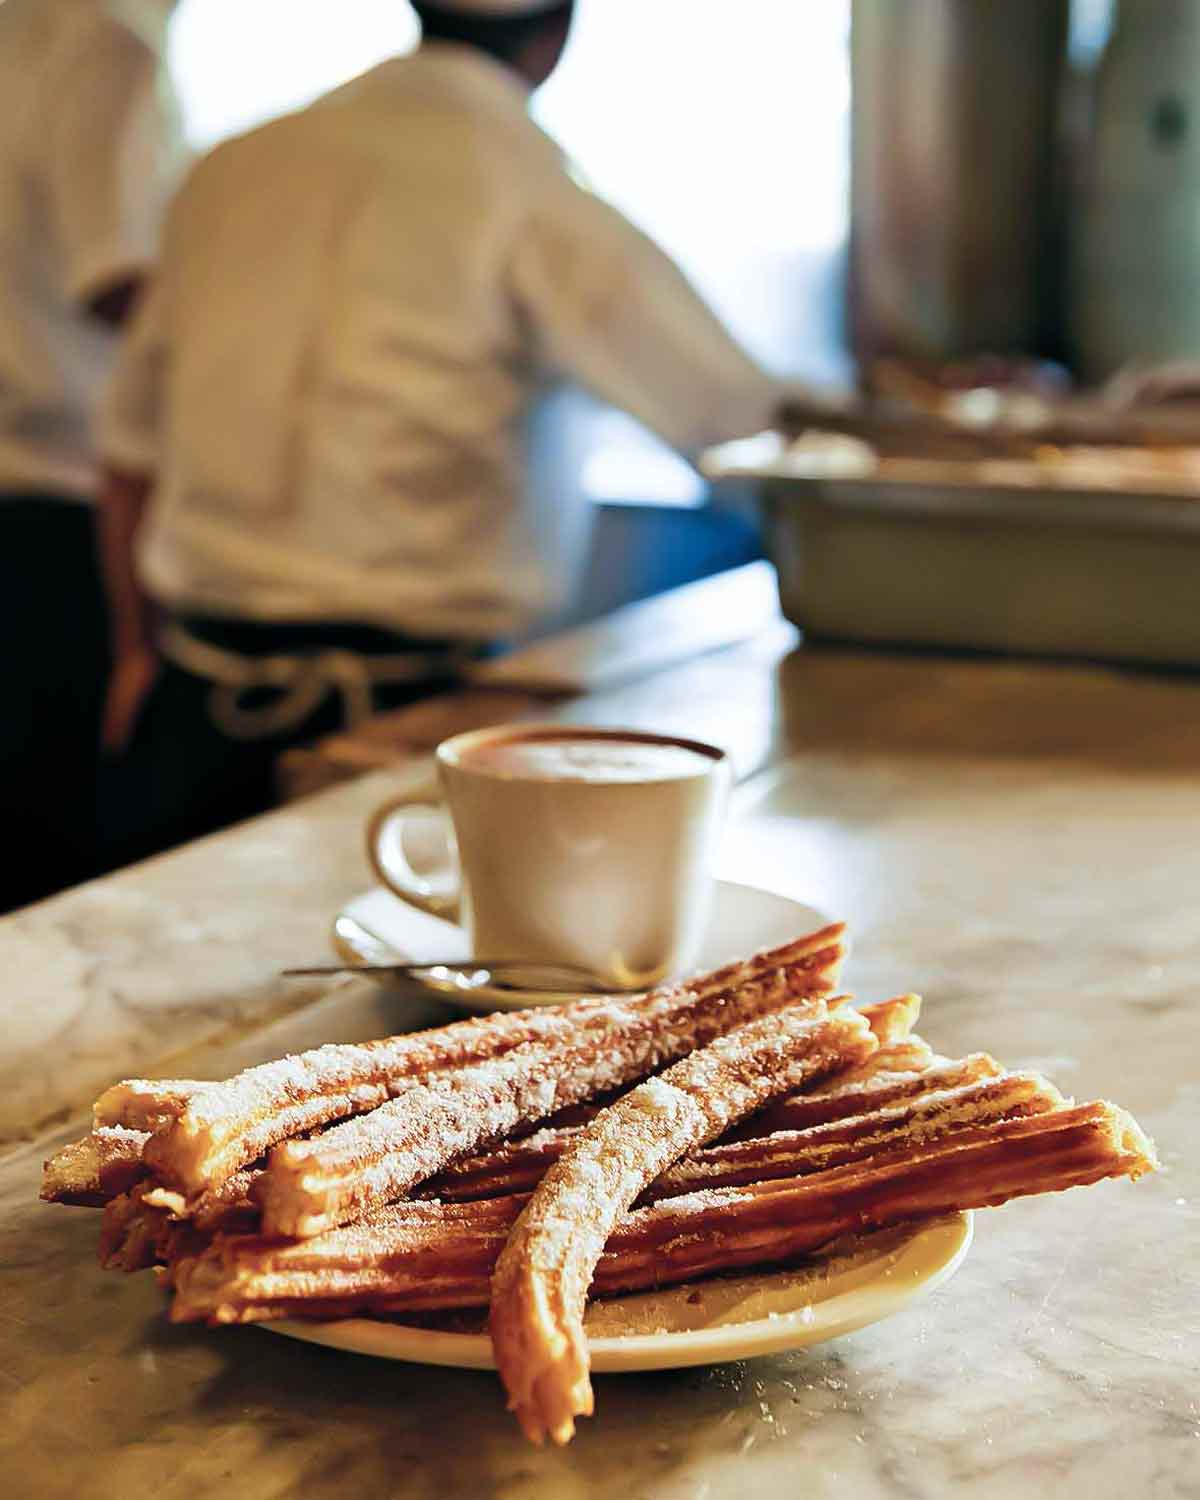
610,310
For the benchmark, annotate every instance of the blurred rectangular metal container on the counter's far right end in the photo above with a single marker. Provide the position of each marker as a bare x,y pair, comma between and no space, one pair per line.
1082,574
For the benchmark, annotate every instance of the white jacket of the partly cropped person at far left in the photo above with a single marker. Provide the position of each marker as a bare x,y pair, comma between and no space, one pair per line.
88,148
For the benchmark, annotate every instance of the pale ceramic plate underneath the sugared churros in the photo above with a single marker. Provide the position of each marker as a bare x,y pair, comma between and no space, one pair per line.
709,1322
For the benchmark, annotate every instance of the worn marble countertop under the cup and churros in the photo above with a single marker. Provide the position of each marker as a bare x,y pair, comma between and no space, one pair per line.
1021,844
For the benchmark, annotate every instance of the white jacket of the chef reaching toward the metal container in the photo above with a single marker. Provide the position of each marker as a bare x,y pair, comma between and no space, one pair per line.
353,311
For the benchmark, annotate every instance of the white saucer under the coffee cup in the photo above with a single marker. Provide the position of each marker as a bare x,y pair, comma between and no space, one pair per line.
379,928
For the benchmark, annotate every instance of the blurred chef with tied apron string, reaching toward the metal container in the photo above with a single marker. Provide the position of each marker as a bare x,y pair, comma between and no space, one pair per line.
317,500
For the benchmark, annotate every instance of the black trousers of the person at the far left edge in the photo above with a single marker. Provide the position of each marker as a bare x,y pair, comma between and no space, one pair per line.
53,665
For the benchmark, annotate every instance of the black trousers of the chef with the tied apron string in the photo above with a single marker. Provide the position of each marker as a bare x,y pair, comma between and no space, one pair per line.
182,778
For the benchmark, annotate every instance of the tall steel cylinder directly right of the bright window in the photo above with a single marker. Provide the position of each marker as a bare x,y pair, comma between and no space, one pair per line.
952,173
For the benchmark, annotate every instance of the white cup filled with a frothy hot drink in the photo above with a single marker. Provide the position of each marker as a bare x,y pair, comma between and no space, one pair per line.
581,847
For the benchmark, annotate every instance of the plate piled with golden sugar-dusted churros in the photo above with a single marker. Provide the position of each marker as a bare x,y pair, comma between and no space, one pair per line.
572,1178
